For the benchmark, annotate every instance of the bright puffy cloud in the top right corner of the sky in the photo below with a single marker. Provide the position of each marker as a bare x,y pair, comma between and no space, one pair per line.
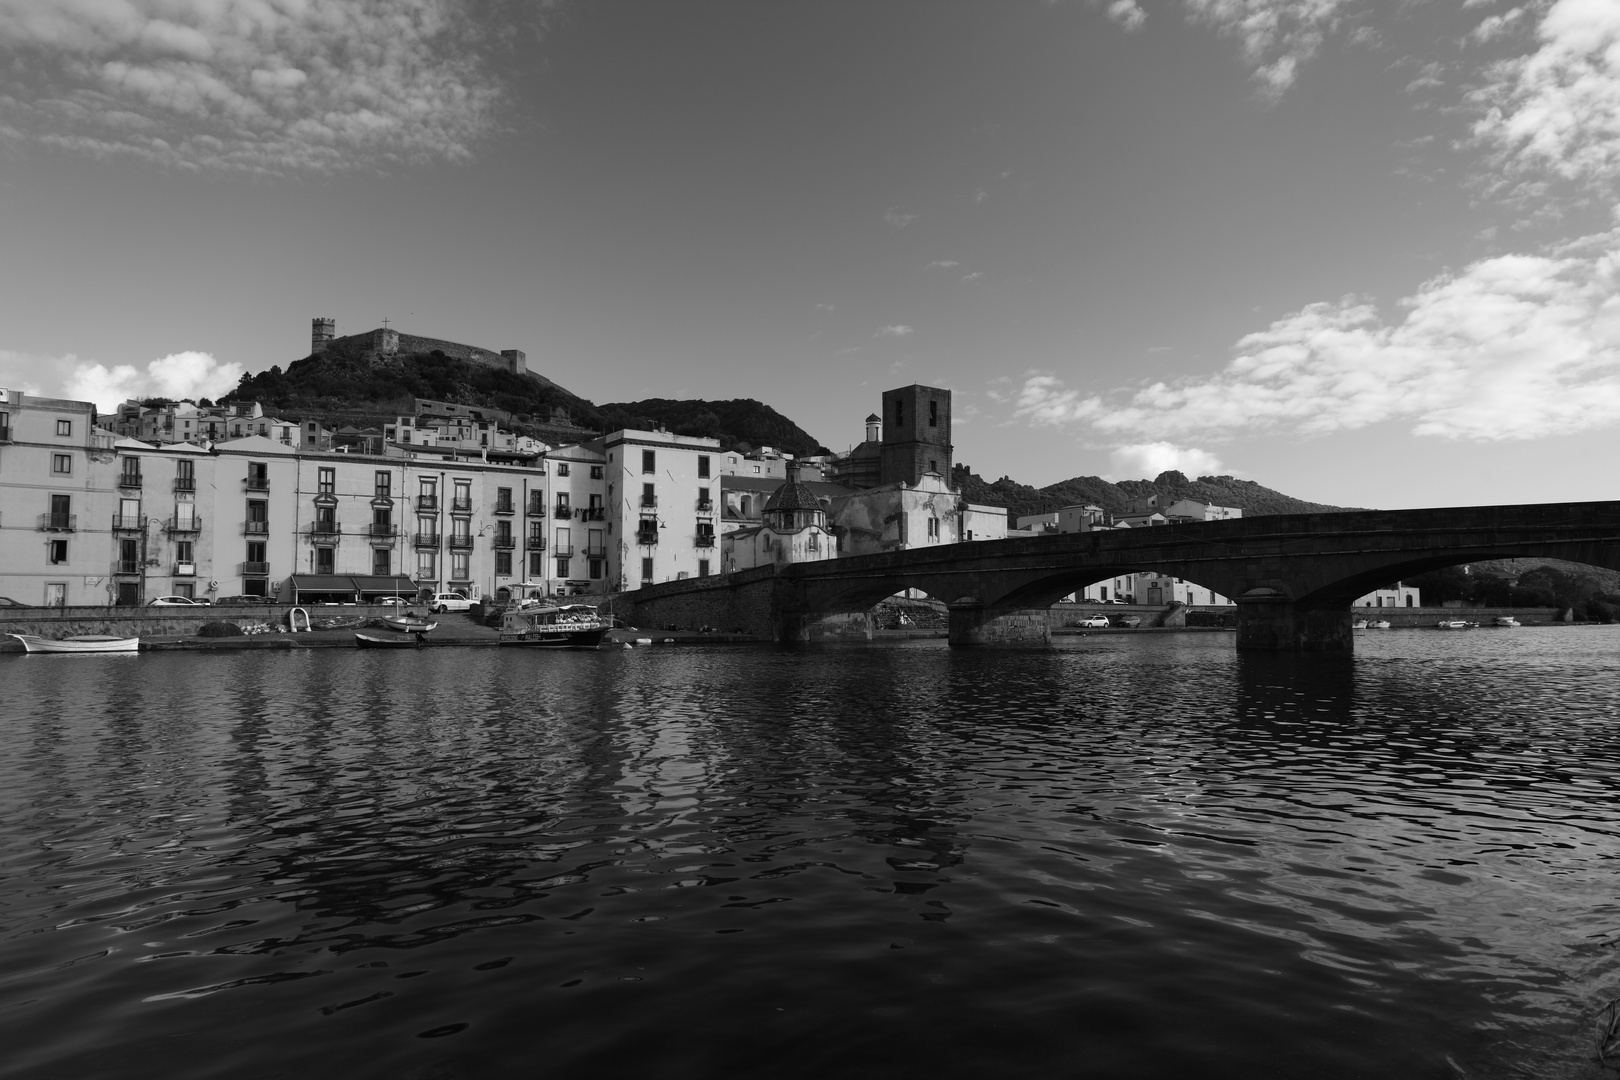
1556,113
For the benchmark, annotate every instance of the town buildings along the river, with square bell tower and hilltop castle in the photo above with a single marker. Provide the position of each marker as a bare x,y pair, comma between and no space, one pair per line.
202,501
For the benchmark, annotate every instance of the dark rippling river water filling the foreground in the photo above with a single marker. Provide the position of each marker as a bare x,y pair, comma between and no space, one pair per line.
1122,857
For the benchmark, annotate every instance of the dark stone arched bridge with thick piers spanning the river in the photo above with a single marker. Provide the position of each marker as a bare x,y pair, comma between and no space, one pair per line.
1294,577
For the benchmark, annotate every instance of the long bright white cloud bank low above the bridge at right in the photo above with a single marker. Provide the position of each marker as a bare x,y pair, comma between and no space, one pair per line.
1512,347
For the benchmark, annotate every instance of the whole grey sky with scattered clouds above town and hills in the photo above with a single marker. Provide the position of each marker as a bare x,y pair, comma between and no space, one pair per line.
1362,252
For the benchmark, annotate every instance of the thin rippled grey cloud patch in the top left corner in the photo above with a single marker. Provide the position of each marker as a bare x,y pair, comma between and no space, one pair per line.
258,87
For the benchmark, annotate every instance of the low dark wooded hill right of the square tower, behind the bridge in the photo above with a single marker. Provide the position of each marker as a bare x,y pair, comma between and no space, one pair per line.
1222,491
